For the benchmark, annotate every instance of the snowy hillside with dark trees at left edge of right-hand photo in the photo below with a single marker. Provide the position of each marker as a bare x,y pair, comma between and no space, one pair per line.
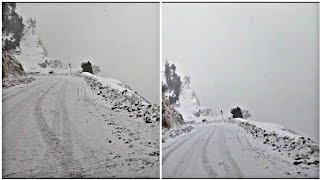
179,104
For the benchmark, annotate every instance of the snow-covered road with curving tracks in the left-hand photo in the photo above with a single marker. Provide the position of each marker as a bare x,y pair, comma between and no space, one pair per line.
56,127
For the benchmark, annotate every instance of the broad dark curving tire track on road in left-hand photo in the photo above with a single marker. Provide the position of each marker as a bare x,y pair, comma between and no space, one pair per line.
57,148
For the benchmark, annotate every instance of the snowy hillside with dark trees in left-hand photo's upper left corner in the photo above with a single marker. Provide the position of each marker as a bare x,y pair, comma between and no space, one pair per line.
23,53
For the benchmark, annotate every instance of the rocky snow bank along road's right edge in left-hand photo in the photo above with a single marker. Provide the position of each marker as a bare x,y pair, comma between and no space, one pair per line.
121,97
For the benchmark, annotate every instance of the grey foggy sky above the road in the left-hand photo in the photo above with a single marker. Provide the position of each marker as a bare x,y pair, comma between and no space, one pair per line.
122,38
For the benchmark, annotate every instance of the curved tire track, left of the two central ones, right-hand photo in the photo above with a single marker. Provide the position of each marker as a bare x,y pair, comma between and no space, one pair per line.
204,157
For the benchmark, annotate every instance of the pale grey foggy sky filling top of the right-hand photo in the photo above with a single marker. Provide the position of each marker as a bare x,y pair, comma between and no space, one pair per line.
260,56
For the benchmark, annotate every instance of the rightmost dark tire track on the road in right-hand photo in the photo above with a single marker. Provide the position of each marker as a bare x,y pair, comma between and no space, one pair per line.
235,171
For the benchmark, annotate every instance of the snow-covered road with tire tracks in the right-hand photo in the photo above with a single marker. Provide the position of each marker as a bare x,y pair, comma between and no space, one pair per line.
223,150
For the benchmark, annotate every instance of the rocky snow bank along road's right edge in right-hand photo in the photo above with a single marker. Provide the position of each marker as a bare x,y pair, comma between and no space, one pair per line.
287,144
